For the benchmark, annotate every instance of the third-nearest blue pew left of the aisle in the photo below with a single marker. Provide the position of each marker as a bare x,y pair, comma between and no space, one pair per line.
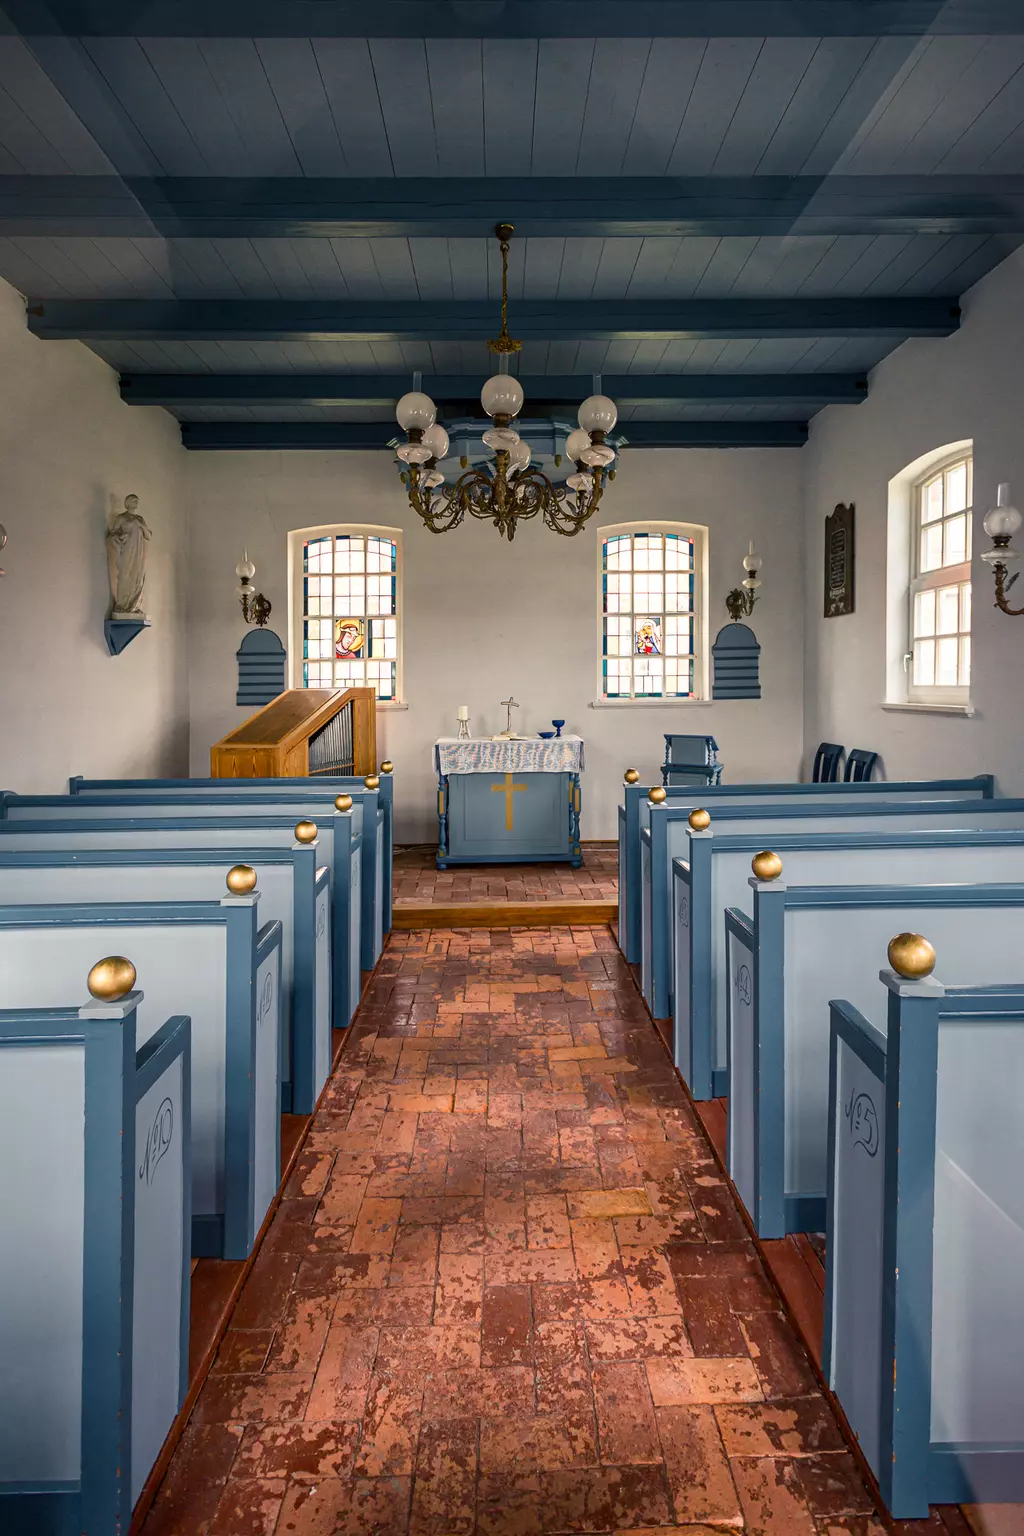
292,892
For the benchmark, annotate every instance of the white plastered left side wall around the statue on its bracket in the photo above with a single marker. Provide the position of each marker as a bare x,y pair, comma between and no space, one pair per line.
70,452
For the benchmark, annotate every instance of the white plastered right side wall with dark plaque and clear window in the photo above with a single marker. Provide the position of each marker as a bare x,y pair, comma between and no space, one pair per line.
925,396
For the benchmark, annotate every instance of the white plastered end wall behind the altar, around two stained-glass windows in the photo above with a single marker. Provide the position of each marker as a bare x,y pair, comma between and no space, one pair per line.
486,618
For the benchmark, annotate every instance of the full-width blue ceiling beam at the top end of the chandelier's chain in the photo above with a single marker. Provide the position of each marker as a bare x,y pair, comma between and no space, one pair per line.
246,208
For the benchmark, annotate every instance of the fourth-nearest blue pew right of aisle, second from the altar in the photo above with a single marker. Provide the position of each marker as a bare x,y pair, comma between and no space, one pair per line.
670,838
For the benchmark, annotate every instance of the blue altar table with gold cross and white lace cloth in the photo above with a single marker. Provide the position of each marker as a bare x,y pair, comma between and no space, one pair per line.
509,801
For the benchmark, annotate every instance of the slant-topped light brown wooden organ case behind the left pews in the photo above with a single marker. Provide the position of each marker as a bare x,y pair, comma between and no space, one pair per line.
303,733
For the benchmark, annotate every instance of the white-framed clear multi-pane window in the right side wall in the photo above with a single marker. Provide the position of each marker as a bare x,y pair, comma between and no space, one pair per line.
939,654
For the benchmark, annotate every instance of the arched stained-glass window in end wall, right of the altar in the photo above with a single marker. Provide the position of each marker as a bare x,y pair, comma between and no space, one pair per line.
650,603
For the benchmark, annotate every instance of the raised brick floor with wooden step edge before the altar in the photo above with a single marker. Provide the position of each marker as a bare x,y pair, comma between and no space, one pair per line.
418,881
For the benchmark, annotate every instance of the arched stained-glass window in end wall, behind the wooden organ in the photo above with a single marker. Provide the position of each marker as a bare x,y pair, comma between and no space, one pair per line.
351,620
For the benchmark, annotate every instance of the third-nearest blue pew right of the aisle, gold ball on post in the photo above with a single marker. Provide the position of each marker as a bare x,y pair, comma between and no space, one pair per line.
718,873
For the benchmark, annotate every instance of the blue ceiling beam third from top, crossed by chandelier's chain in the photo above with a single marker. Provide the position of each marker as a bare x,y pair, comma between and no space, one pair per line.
474,320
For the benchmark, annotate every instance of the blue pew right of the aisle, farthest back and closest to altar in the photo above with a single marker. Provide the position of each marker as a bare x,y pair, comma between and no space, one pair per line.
635,815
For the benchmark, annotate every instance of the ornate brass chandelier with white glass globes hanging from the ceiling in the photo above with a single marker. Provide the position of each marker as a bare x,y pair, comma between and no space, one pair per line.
506,491
